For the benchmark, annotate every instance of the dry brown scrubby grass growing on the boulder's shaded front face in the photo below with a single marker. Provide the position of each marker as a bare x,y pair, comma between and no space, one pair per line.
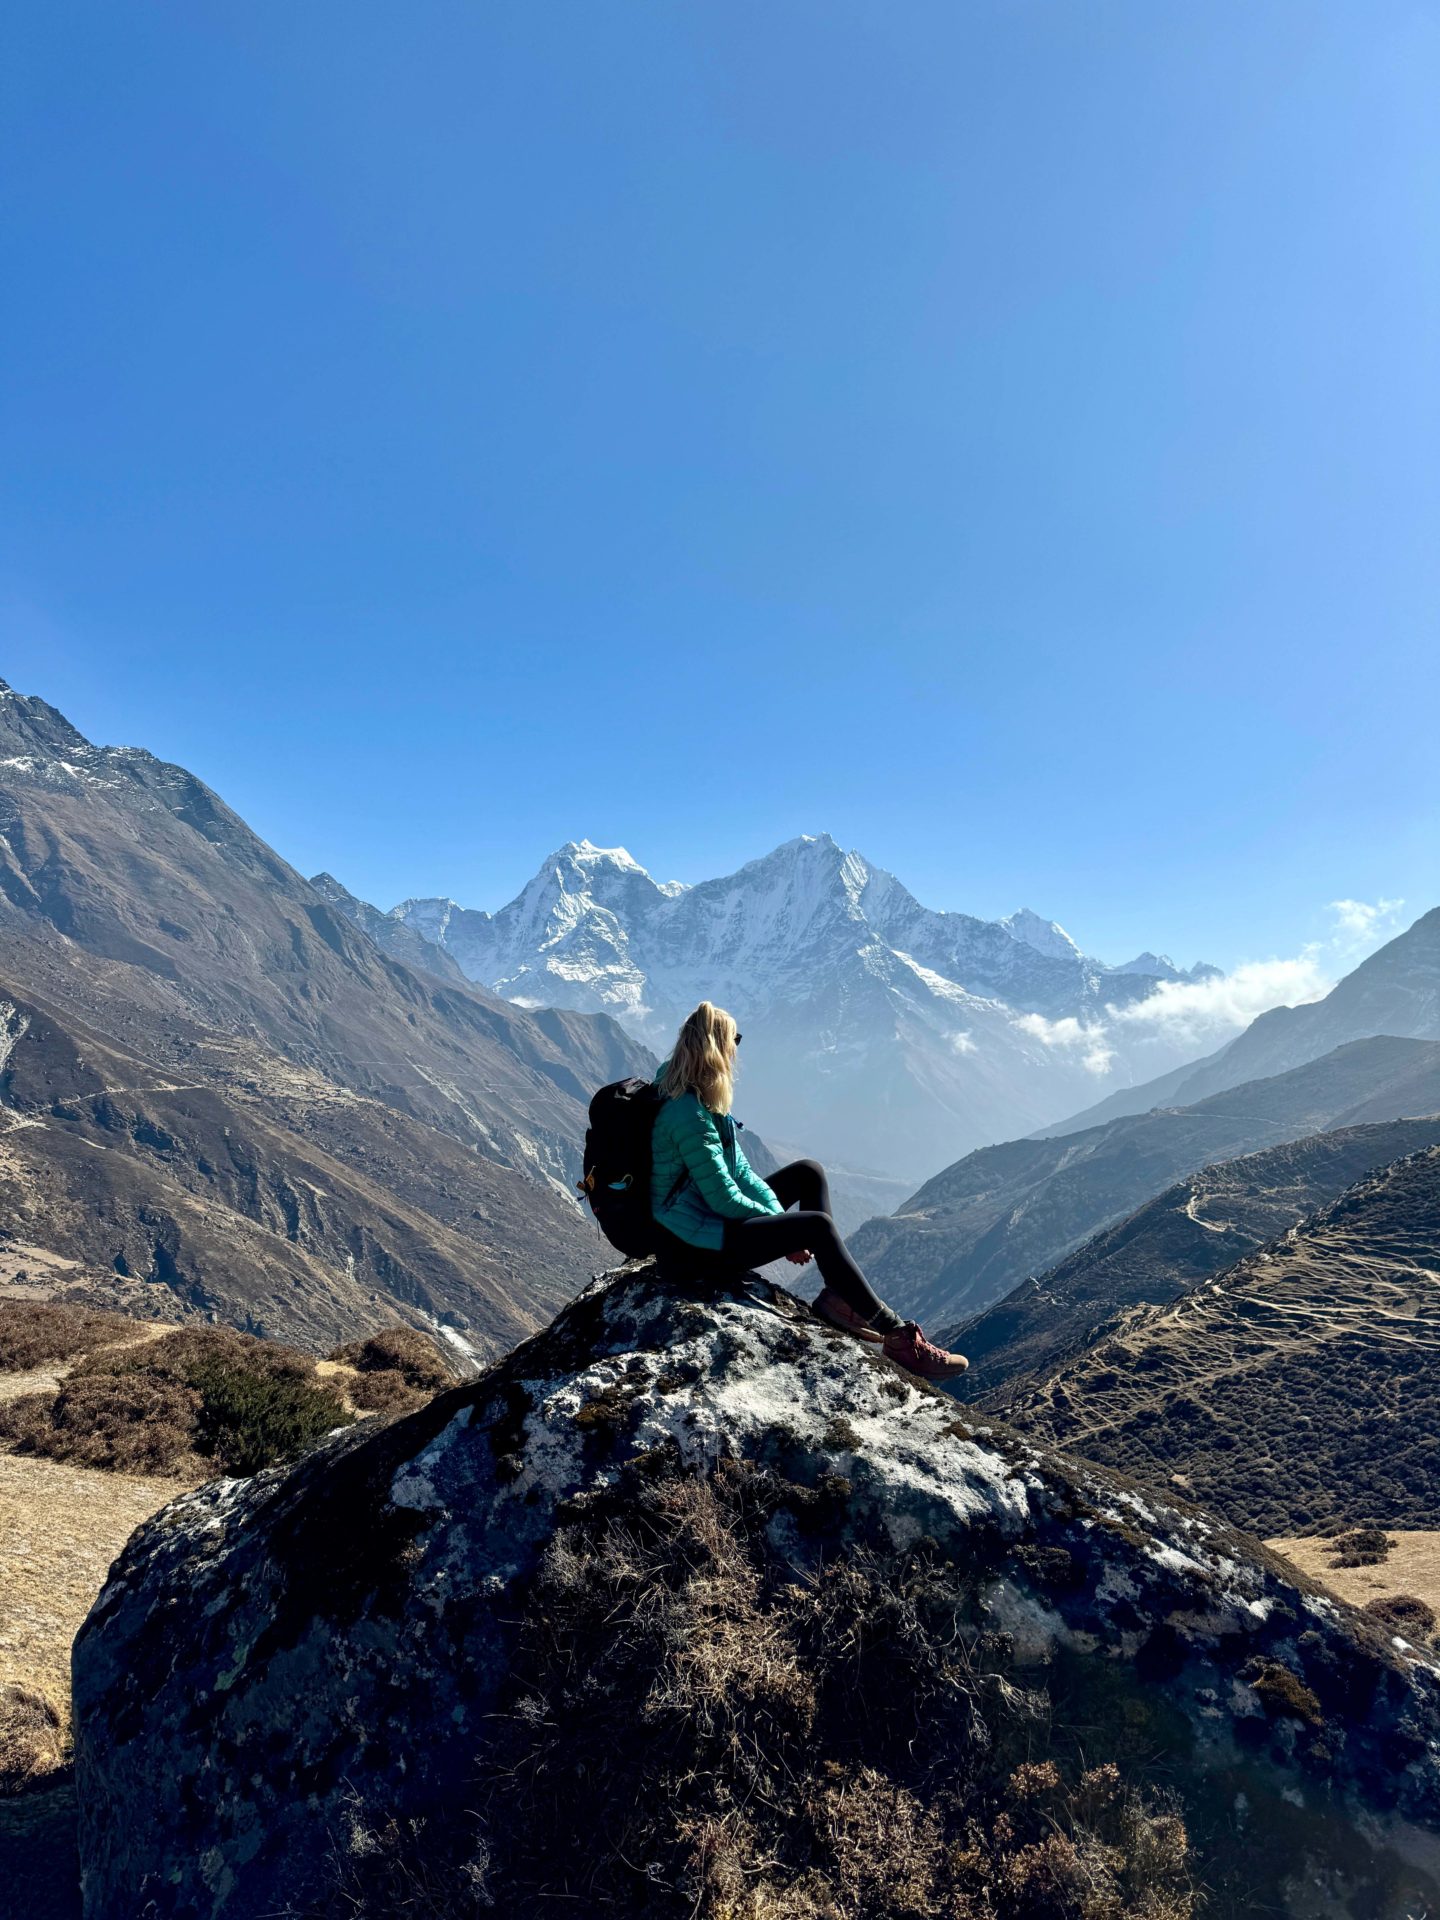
692,1731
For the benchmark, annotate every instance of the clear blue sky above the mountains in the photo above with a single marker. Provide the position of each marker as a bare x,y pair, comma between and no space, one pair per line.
1001,433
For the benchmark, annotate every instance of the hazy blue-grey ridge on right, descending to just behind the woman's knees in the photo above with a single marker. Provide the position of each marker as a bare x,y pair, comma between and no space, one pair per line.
1007,1214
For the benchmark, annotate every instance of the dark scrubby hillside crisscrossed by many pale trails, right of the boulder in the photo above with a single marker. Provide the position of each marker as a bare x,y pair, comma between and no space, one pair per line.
1295,1389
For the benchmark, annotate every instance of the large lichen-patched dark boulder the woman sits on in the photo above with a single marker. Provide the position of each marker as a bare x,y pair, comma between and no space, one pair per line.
698,1608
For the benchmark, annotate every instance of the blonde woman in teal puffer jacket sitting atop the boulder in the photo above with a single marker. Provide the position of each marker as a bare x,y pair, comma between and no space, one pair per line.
719,1216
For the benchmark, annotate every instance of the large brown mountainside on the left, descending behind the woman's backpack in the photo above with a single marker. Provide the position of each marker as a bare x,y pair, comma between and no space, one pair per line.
218,1088
